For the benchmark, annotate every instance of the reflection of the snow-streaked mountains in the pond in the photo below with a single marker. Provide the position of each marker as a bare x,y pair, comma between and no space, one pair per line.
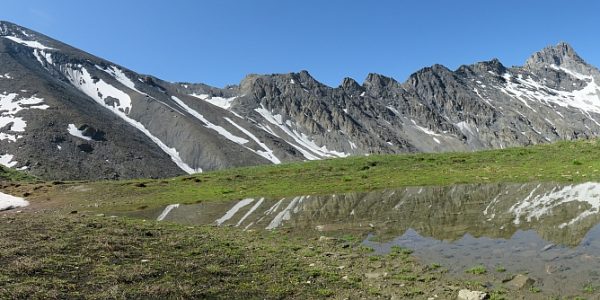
561,214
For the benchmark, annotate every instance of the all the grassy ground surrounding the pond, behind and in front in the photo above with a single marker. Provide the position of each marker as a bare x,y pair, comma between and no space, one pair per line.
71,250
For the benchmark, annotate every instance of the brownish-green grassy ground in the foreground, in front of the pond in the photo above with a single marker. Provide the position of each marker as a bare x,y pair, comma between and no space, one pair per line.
49,253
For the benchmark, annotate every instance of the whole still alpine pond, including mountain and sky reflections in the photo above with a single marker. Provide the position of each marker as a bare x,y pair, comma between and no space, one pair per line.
550,230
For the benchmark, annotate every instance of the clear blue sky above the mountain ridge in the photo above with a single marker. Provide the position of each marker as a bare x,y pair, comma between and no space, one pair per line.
219,42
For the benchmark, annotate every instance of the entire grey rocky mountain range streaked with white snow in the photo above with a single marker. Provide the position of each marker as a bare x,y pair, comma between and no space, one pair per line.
66,114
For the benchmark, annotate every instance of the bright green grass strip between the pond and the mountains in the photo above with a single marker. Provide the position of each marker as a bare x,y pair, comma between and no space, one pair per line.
564,161
